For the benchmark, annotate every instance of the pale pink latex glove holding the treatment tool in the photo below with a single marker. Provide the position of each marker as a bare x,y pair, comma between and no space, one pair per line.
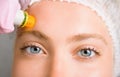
8,12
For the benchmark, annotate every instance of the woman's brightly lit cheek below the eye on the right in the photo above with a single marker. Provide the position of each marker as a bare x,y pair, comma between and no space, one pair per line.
101,67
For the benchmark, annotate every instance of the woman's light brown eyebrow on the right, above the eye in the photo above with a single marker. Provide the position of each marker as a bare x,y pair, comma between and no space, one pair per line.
85,36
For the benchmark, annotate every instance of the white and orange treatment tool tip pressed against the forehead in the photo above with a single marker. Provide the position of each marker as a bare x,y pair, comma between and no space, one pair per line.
23,19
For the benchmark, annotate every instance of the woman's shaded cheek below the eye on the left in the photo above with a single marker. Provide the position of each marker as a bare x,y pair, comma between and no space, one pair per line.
29,68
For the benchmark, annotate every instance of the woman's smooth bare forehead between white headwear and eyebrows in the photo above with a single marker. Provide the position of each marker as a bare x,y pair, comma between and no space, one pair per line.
62,19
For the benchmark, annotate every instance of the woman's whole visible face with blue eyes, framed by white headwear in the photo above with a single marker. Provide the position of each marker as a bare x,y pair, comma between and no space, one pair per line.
68,40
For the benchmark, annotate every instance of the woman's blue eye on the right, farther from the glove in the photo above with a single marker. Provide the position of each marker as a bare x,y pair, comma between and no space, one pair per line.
87,53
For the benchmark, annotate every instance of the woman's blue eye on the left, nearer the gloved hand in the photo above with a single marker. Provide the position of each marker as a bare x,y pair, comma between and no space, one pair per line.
32,50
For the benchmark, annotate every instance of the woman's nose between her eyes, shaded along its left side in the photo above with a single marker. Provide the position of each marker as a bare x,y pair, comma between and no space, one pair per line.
57,66
